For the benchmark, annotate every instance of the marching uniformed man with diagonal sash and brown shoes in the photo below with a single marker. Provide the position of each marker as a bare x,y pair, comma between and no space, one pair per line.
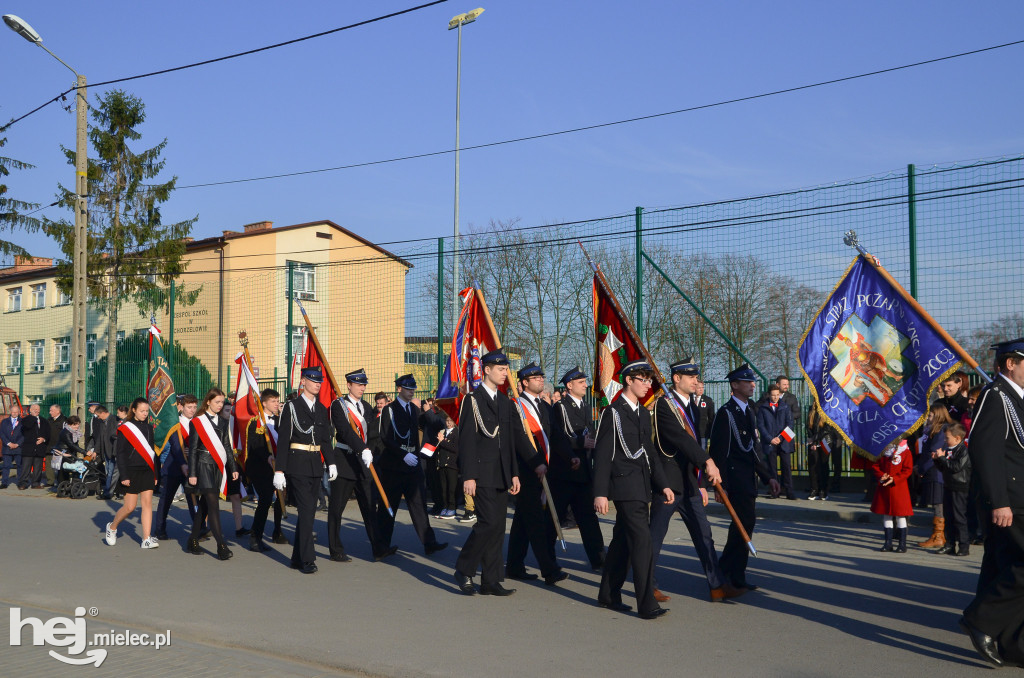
677,435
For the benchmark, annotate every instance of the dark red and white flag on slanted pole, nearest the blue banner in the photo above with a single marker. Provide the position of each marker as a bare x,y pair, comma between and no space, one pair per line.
617,346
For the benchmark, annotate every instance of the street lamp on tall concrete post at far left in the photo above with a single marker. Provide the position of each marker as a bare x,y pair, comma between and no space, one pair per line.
22,28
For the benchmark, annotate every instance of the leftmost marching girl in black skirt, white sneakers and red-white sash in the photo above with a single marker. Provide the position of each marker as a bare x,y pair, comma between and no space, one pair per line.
138,471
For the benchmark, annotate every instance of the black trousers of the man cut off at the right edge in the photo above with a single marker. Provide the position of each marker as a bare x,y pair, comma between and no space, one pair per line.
998,609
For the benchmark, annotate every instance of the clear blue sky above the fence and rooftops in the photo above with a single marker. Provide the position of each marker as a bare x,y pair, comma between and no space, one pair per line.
529,67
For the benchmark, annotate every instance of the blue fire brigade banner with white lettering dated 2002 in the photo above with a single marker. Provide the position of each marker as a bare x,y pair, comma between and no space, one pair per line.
873,358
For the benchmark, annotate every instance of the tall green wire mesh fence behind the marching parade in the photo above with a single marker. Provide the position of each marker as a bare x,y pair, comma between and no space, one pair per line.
728,282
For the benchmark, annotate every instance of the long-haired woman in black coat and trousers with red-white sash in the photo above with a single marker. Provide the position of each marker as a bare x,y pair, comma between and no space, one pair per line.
204,470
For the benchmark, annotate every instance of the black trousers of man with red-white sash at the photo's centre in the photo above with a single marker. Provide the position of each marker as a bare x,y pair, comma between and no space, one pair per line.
532,527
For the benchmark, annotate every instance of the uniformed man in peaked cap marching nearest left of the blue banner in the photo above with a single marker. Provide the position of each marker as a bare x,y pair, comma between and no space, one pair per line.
737,450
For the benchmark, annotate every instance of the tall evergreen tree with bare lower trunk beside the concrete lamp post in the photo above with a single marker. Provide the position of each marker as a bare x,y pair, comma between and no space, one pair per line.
133,255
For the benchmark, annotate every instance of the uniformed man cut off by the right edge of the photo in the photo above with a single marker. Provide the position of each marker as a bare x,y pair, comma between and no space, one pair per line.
995,620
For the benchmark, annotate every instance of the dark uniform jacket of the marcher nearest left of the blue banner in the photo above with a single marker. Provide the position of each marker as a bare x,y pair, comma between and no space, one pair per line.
740,469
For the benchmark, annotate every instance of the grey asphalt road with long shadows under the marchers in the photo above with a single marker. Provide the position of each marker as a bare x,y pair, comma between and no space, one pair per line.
830,606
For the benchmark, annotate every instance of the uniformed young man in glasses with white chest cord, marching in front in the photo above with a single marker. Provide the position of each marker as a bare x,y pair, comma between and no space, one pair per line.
625,474
